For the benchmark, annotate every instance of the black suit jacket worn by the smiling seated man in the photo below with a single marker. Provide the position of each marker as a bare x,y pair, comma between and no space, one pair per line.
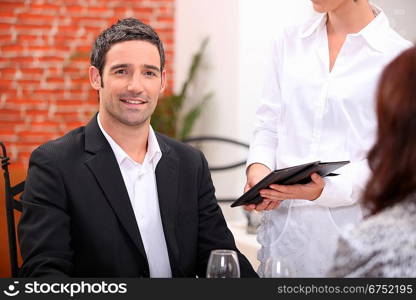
78,221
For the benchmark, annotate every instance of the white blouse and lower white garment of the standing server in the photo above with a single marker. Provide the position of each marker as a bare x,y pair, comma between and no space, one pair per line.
309,113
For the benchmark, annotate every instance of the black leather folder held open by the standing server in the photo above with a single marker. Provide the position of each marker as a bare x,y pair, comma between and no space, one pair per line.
293,175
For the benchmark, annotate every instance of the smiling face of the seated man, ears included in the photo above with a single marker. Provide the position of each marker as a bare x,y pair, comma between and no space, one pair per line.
132,82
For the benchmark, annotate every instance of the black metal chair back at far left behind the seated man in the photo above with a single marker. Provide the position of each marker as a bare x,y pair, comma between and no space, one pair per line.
12,204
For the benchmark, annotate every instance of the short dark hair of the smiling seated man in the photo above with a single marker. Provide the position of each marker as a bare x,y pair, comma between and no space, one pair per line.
125,30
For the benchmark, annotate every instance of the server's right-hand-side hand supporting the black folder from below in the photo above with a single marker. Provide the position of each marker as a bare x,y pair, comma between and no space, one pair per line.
273,197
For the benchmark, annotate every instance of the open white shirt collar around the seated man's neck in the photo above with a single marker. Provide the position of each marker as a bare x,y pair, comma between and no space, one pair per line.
153,153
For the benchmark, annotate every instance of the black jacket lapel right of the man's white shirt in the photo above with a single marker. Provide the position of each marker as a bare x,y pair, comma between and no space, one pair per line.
167,173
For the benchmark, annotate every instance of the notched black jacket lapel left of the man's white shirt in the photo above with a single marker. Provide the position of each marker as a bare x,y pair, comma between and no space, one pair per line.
104,166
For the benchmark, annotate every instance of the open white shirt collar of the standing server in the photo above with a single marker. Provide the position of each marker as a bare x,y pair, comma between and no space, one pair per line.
372,33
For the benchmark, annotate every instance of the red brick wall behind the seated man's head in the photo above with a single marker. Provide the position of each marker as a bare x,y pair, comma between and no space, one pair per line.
44,59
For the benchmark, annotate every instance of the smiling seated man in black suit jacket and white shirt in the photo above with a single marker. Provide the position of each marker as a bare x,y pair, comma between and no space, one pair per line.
114,198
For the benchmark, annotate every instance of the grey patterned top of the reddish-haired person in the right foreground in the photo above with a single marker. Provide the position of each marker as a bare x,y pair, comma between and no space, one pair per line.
384,245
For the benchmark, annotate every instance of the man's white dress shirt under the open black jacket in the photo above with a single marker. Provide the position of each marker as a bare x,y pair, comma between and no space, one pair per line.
140,181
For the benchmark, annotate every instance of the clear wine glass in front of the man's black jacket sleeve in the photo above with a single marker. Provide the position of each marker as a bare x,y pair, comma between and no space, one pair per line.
223,264
